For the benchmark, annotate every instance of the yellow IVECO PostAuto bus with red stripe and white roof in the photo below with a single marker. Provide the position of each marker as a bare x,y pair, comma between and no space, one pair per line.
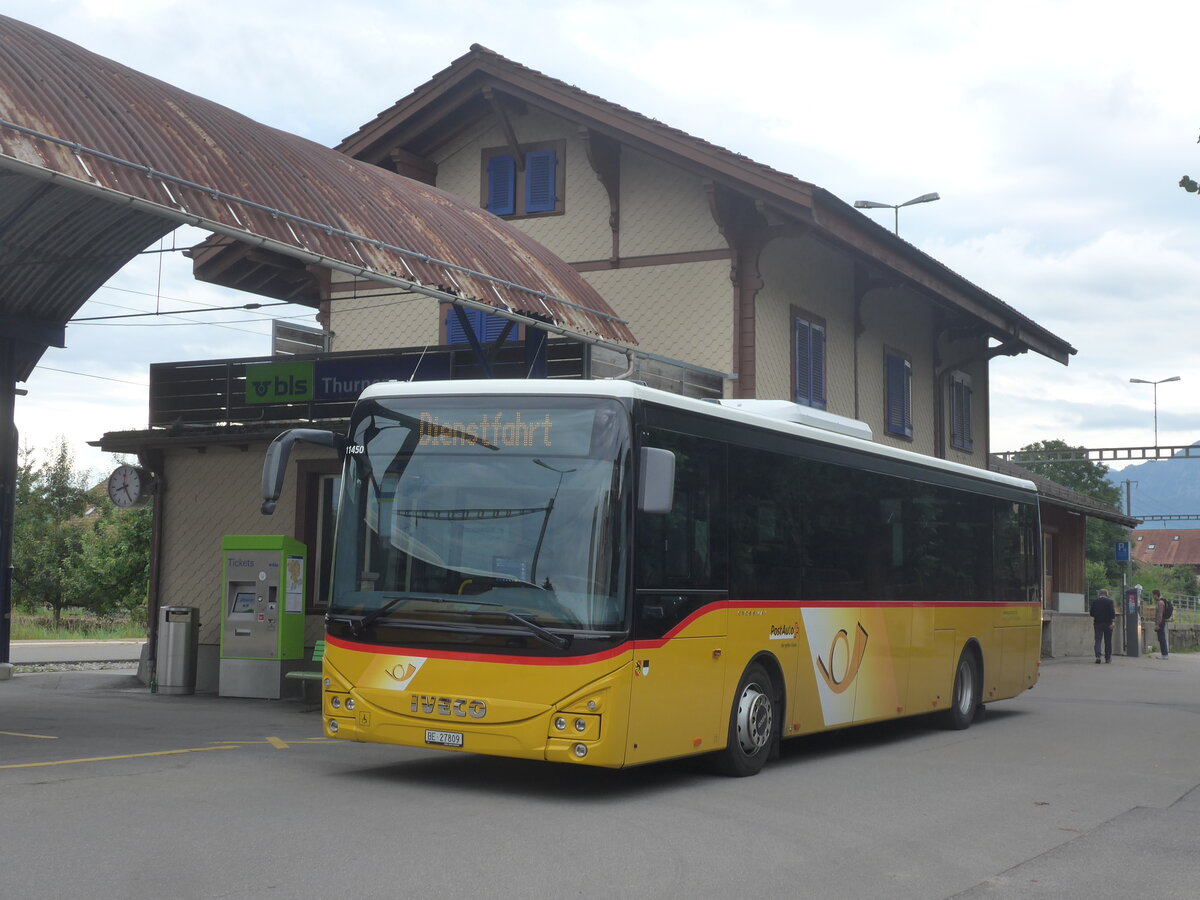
598,573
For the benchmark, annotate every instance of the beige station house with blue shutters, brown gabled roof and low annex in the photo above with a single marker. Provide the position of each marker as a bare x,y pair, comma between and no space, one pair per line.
767,286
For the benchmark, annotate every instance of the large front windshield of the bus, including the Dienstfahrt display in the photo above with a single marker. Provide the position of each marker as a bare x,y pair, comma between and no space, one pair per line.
467,517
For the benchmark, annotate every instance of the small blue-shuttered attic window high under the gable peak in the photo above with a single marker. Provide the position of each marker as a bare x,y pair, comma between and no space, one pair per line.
531,189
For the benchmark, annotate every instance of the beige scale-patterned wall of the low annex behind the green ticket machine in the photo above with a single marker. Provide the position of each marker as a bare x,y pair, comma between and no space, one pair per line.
208,496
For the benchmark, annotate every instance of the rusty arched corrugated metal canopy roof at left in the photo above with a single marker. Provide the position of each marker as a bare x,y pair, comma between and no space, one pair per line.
104,160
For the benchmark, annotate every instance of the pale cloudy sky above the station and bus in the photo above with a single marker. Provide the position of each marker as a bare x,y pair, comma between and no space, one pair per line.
1055,133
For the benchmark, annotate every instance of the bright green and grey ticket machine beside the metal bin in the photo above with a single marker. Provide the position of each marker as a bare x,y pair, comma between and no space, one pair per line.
262,614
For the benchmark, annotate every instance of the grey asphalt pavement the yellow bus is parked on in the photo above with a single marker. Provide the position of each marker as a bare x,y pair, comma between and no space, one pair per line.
1087,787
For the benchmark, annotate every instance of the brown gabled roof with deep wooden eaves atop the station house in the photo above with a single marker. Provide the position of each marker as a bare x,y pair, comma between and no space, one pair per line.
473,85
